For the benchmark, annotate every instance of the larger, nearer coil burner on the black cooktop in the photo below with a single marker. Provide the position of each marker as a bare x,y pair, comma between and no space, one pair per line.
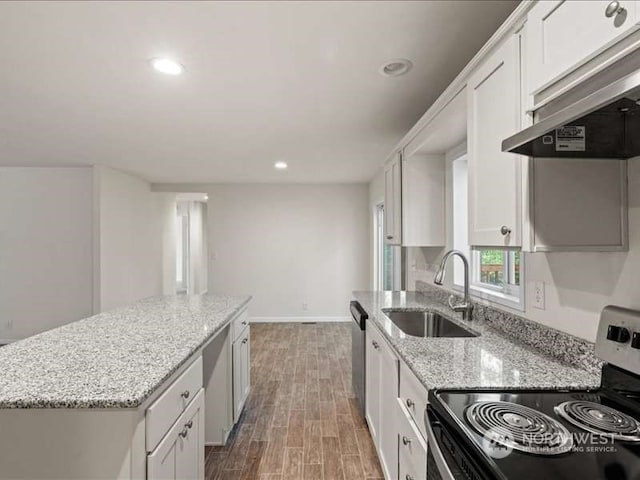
519,427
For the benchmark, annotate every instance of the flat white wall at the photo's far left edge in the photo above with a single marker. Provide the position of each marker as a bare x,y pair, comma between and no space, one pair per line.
46,245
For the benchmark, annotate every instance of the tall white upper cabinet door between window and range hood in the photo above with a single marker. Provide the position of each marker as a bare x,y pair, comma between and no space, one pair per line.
495,182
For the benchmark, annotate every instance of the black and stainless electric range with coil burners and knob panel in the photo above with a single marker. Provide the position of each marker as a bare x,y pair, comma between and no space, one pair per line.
488,434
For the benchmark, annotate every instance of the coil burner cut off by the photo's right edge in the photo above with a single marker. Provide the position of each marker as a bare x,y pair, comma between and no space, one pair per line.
600,419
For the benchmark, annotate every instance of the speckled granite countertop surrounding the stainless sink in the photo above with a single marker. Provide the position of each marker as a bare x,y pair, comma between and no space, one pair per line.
491,360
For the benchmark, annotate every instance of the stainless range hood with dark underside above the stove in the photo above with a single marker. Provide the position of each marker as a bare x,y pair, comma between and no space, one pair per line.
599,121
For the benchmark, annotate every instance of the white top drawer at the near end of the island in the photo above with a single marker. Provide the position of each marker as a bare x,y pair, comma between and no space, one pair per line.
166,409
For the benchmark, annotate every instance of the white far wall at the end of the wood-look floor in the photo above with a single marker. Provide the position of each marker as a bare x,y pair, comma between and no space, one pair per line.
287,245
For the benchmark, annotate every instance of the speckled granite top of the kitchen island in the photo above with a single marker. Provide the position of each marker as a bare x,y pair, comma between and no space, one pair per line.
115,359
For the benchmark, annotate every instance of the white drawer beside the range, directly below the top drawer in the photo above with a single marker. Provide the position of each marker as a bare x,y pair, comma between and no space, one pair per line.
412,458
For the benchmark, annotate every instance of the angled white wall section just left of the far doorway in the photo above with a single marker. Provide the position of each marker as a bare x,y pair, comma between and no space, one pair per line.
132,225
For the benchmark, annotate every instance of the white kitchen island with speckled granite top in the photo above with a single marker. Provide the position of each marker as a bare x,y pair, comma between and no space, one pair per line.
95,398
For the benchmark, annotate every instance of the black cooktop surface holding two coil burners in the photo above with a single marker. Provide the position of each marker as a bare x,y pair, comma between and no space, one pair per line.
545,434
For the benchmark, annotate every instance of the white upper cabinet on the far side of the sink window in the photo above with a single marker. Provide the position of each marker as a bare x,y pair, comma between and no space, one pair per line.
414,201
